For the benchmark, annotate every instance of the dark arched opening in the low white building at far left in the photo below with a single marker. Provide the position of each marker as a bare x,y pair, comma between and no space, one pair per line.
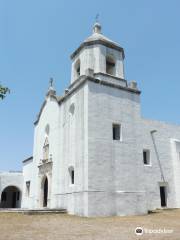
10,197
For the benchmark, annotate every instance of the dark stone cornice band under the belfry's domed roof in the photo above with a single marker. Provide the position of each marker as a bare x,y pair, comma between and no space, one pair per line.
99,41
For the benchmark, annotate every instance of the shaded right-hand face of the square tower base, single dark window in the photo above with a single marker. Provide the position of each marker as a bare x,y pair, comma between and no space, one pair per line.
114,167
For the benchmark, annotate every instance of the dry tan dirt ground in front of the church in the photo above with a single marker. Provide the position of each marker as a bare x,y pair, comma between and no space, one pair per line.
17,226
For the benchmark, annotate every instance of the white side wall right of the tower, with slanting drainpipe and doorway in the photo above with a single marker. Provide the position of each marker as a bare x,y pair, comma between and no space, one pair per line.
168,162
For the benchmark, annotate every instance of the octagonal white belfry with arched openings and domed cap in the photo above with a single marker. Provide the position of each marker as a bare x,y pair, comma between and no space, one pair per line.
99,54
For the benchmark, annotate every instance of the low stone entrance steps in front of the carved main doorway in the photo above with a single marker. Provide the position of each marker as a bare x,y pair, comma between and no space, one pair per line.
33,211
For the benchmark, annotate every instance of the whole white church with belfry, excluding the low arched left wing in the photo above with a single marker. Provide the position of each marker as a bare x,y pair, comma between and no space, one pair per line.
94,154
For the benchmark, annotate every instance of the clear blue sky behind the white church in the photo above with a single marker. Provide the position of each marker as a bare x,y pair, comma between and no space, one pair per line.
38,37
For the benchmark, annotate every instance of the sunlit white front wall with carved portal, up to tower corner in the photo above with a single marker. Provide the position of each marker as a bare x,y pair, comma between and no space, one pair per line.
68,148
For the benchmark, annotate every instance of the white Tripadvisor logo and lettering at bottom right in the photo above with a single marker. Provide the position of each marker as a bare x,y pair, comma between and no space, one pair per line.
140,231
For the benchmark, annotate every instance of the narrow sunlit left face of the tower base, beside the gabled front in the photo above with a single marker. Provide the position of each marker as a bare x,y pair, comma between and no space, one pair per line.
73,152
